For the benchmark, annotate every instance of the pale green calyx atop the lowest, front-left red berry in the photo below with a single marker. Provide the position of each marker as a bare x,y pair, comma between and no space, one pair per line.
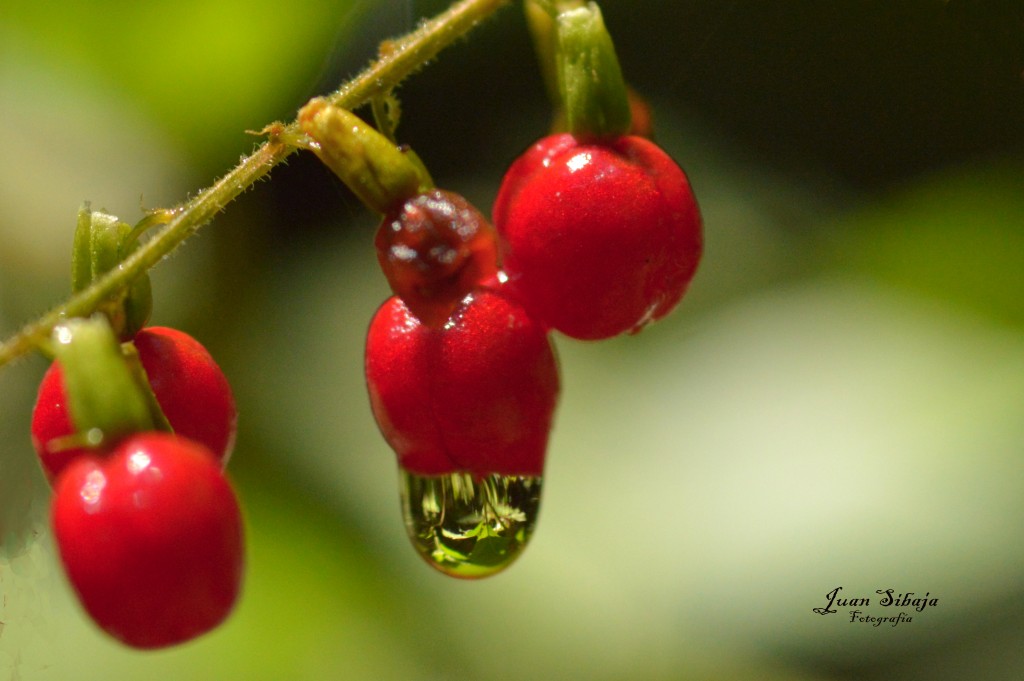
108,394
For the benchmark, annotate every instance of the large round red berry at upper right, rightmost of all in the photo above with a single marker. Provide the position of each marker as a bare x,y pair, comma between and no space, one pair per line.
598,238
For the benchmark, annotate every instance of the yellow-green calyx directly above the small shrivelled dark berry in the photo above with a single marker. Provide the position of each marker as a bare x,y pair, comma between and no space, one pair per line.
382,175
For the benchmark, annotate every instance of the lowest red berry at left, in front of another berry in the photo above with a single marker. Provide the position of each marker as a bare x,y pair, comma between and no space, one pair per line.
151,539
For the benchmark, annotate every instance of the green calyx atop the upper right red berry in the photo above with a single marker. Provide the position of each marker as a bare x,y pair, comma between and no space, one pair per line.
590,78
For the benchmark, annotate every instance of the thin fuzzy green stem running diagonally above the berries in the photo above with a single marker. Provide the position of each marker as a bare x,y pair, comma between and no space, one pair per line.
399,60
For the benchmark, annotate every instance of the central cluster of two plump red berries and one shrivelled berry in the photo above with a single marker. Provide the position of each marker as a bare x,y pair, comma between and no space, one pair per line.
593,239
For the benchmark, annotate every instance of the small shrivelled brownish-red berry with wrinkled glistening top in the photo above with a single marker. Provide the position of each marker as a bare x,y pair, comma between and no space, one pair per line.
435,249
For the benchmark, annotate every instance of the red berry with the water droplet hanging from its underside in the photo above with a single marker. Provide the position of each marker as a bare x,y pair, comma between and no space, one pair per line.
478,396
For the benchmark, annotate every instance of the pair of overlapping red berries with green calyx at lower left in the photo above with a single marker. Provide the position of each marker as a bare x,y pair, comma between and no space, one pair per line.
135,438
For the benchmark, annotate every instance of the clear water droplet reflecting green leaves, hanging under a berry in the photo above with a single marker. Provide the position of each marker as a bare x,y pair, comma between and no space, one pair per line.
470,528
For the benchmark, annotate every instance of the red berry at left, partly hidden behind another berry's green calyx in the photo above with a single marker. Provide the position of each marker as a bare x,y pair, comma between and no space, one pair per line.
192,392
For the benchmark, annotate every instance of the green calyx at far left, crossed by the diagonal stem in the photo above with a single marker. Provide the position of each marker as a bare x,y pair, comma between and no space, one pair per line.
102,243
